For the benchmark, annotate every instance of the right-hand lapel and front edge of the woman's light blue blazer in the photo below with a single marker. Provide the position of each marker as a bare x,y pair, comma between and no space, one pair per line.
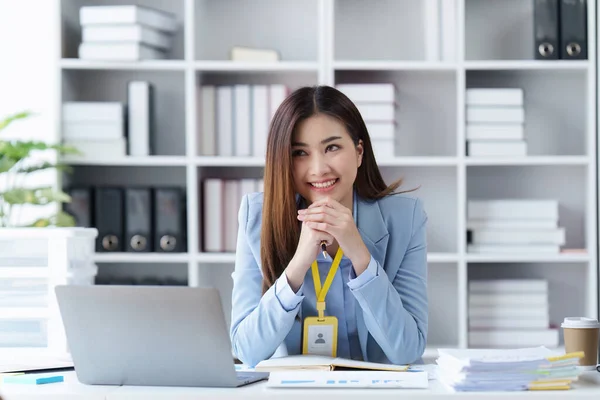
375,235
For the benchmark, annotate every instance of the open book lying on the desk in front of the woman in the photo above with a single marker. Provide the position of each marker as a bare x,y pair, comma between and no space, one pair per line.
322,363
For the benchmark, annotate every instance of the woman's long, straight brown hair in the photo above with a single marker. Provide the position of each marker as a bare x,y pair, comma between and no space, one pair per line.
280,228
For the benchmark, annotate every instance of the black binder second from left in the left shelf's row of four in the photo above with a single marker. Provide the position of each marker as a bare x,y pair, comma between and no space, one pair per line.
108,214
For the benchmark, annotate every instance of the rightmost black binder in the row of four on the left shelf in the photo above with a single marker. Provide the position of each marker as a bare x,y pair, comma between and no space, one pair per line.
170,220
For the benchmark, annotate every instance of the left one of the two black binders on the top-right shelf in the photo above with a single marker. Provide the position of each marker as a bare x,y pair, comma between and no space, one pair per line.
546,29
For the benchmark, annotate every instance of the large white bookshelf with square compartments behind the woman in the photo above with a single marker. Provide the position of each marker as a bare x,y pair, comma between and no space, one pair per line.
352,41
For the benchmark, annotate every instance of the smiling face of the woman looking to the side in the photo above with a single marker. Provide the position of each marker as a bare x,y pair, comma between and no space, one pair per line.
325,160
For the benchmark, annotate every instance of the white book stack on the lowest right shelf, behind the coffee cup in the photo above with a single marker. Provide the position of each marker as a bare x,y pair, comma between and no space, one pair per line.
510,313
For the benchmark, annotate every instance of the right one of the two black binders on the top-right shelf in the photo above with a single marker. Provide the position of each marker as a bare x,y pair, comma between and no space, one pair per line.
573,29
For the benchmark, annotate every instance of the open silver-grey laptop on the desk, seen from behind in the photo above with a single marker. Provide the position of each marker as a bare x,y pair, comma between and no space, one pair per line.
150,336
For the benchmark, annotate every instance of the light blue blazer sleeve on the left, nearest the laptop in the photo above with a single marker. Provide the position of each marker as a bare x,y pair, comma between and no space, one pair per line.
259,324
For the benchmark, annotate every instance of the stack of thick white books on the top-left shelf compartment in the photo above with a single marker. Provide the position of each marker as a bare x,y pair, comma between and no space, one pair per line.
129,32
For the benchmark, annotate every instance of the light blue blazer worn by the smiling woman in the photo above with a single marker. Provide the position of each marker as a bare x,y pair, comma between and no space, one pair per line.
391,309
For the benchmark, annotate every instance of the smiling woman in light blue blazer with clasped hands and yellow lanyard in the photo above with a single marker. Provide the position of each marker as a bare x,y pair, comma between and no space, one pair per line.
322,186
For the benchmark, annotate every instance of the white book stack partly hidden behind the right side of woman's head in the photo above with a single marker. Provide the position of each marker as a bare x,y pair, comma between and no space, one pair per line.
376,102
